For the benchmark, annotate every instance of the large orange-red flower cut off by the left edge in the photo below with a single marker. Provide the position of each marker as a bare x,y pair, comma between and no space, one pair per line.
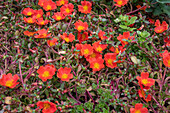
9,80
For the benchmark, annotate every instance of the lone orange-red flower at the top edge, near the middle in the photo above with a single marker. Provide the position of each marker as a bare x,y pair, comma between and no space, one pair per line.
85,7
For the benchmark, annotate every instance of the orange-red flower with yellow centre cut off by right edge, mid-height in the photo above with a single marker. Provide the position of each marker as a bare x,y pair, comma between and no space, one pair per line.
166,58
